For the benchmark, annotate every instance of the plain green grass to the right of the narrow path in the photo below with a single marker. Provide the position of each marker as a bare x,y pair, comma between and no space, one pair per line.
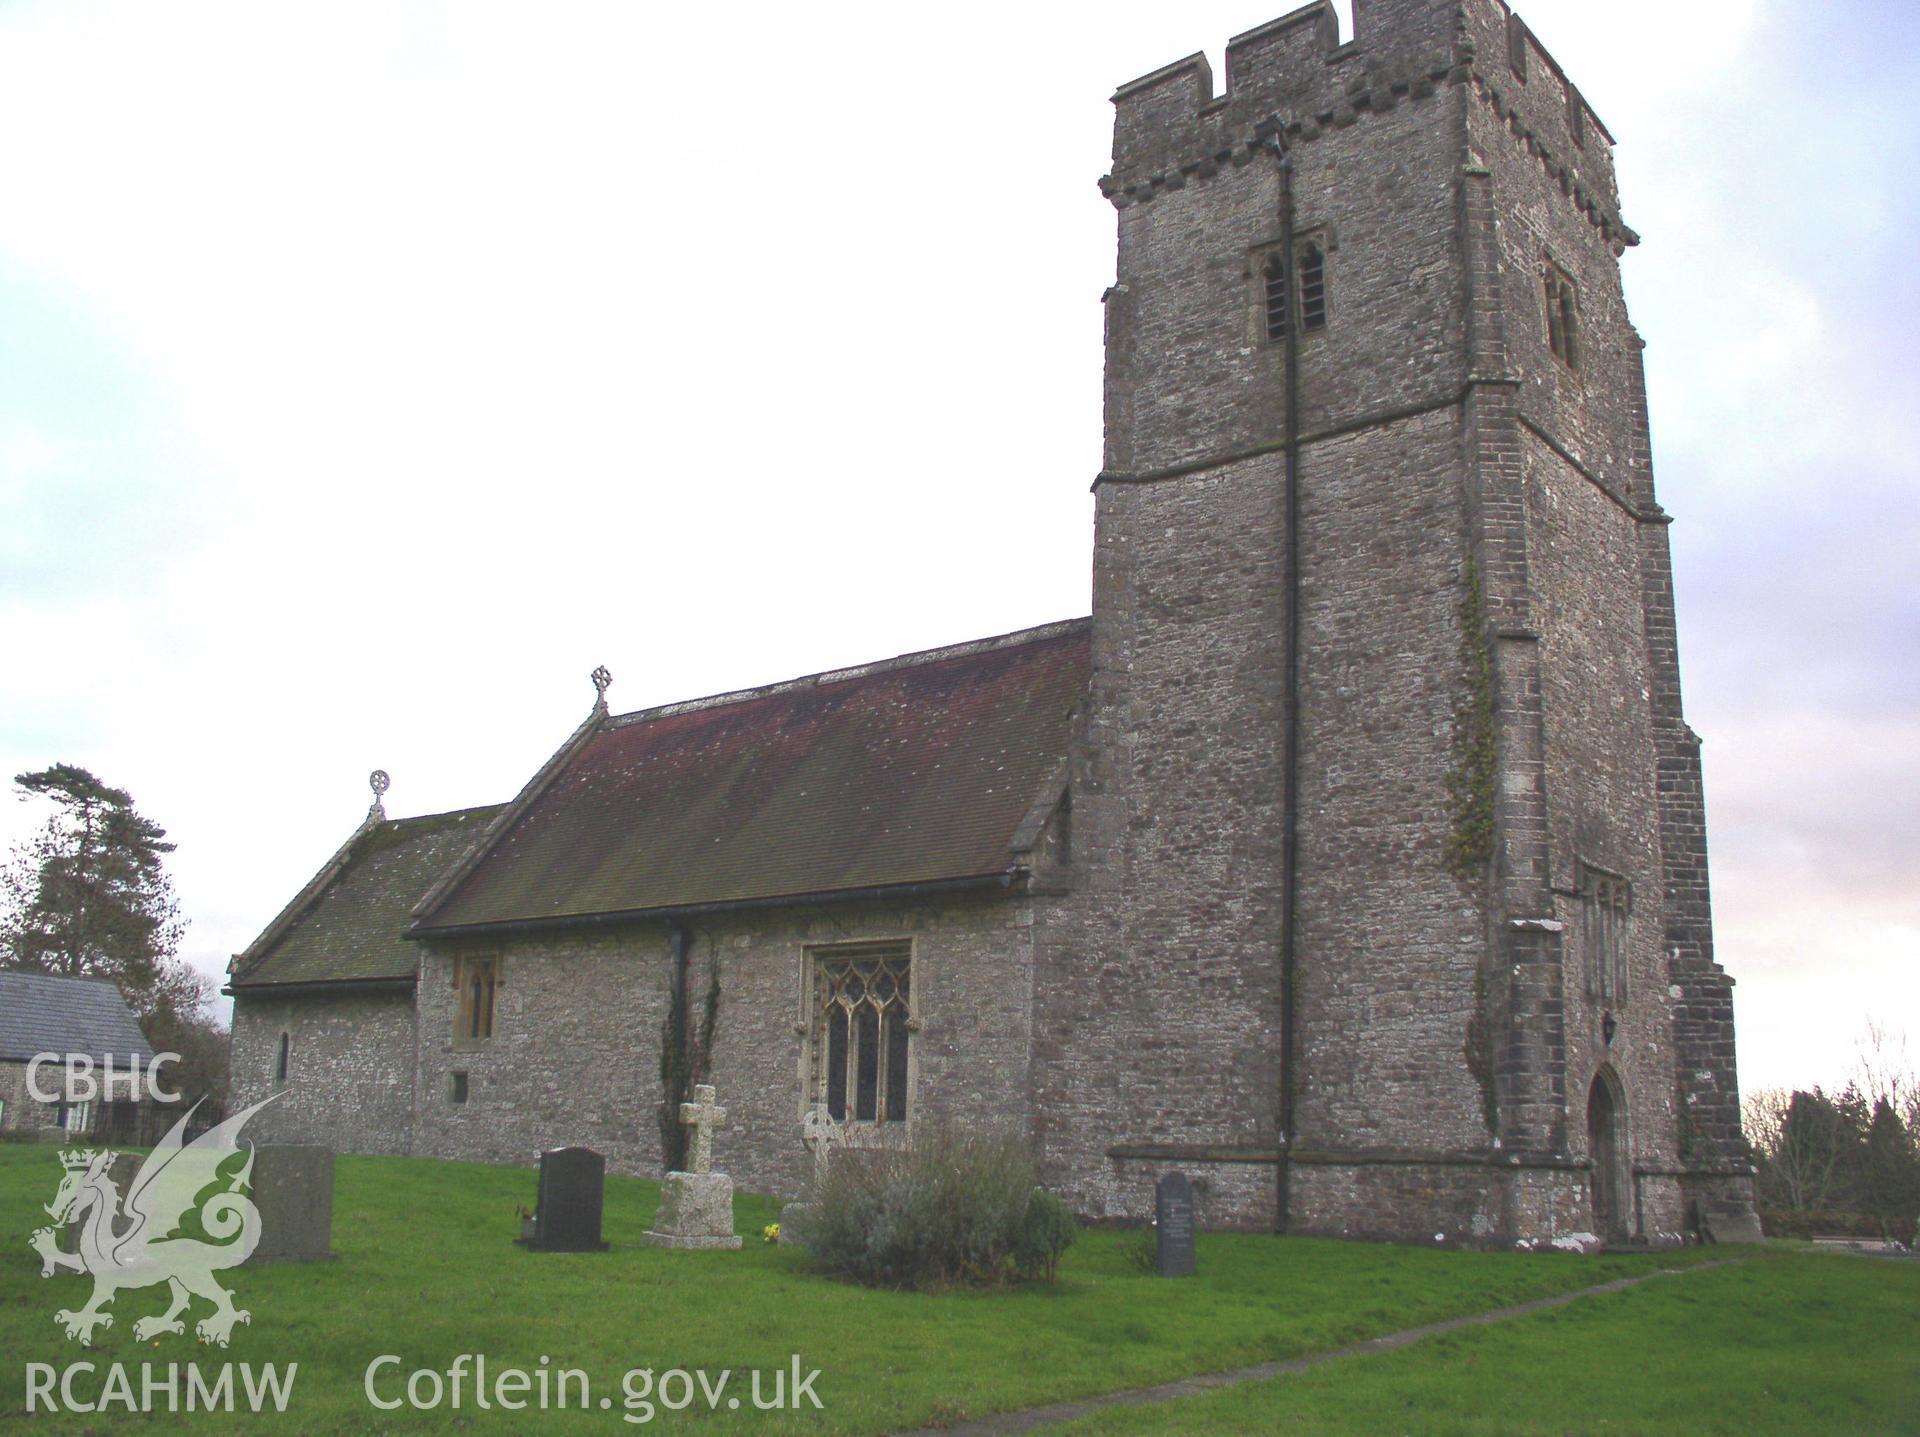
1800,1344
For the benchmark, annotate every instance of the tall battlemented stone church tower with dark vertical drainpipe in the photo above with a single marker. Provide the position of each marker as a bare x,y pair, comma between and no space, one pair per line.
1391,906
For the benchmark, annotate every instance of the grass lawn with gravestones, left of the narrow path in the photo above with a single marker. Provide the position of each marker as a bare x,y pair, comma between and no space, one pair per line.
427,1273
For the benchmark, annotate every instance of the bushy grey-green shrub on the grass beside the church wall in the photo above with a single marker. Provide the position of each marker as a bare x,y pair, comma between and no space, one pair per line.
949,1211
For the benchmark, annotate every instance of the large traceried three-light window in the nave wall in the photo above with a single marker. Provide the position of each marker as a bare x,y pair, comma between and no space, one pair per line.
863,1033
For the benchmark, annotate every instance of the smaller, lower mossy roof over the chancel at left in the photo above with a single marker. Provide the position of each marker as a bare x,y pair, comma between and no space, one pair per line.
347,925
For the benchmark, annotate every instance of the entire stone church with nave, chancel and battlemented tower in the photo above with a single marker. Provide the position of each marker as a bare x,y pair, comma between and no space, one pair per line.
1351,858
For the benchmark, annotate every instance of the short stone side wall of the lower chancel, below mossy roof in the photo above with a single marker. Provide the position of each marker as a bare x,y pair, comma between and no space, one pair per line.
350,1069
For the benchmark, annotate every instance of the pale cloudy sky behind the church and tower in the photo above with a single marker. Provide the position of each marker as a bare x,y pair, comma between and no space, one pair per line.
373,372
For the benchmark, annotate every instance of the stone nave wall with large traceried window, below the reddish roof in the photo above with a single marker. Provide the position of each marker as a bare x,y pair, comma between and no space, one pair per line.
579,1027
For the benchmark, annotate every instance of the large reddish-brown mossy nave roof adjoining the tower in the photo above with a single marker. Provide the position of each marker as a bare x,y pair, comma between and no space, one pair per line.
913,771
